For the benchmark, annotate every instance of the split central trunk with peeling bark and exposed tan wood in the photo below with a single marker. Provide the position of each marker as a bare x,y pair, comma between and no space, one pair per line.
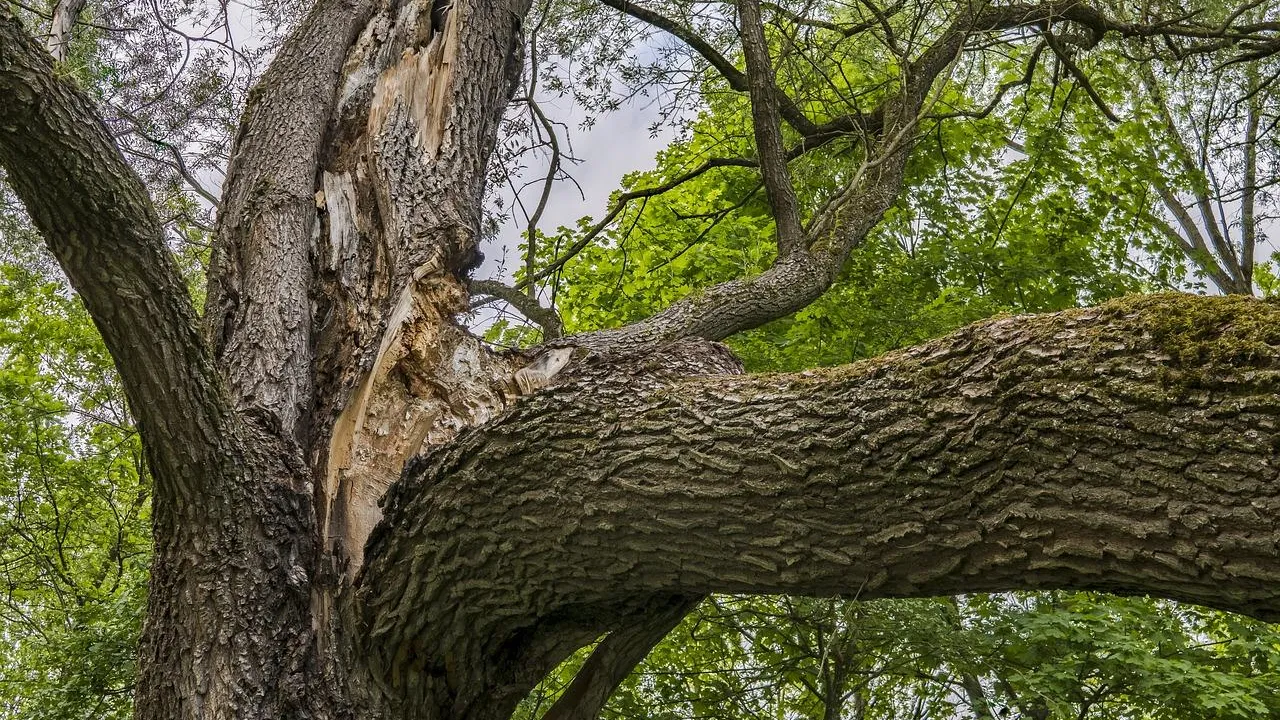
401,213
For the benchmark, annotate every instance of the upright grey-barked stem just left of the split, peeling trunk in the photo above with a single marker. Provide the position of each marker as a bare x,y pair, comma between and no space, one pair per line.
260,276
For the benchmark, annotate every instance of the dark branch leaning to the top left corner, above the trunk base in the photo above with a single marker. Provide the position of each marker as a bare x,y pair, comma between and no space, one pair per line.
99,222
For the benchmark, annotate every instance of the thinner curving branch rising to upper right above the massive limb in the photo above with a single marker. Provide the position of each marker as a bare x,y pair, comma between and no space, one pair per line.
889,134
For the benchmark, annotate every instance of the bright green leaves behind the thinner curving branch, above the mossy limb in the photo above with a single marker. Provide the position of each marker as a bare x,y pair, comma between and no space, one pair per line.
984,229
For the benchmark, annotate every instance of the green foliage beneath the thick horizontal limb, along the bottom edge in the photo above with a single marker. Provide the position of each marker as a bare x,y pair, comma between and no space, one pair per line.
1048,655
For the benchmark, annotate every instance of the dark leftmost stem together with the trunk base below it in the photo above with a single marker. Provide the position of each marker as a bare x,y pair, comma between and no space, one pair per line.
227,505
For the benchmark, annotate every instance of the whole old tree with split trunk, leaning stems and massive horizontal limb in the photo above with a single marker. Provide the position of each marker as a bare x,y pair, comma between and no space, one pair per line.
601,485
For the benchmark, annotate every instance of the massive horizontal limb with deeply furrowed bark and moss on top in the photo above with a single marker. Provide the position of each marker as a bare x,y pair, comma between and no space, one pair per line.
1127,449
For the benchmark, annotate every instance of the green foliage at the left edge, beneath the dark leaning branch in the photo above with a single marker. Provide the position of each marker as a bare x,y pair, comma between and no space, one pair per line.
75,504
